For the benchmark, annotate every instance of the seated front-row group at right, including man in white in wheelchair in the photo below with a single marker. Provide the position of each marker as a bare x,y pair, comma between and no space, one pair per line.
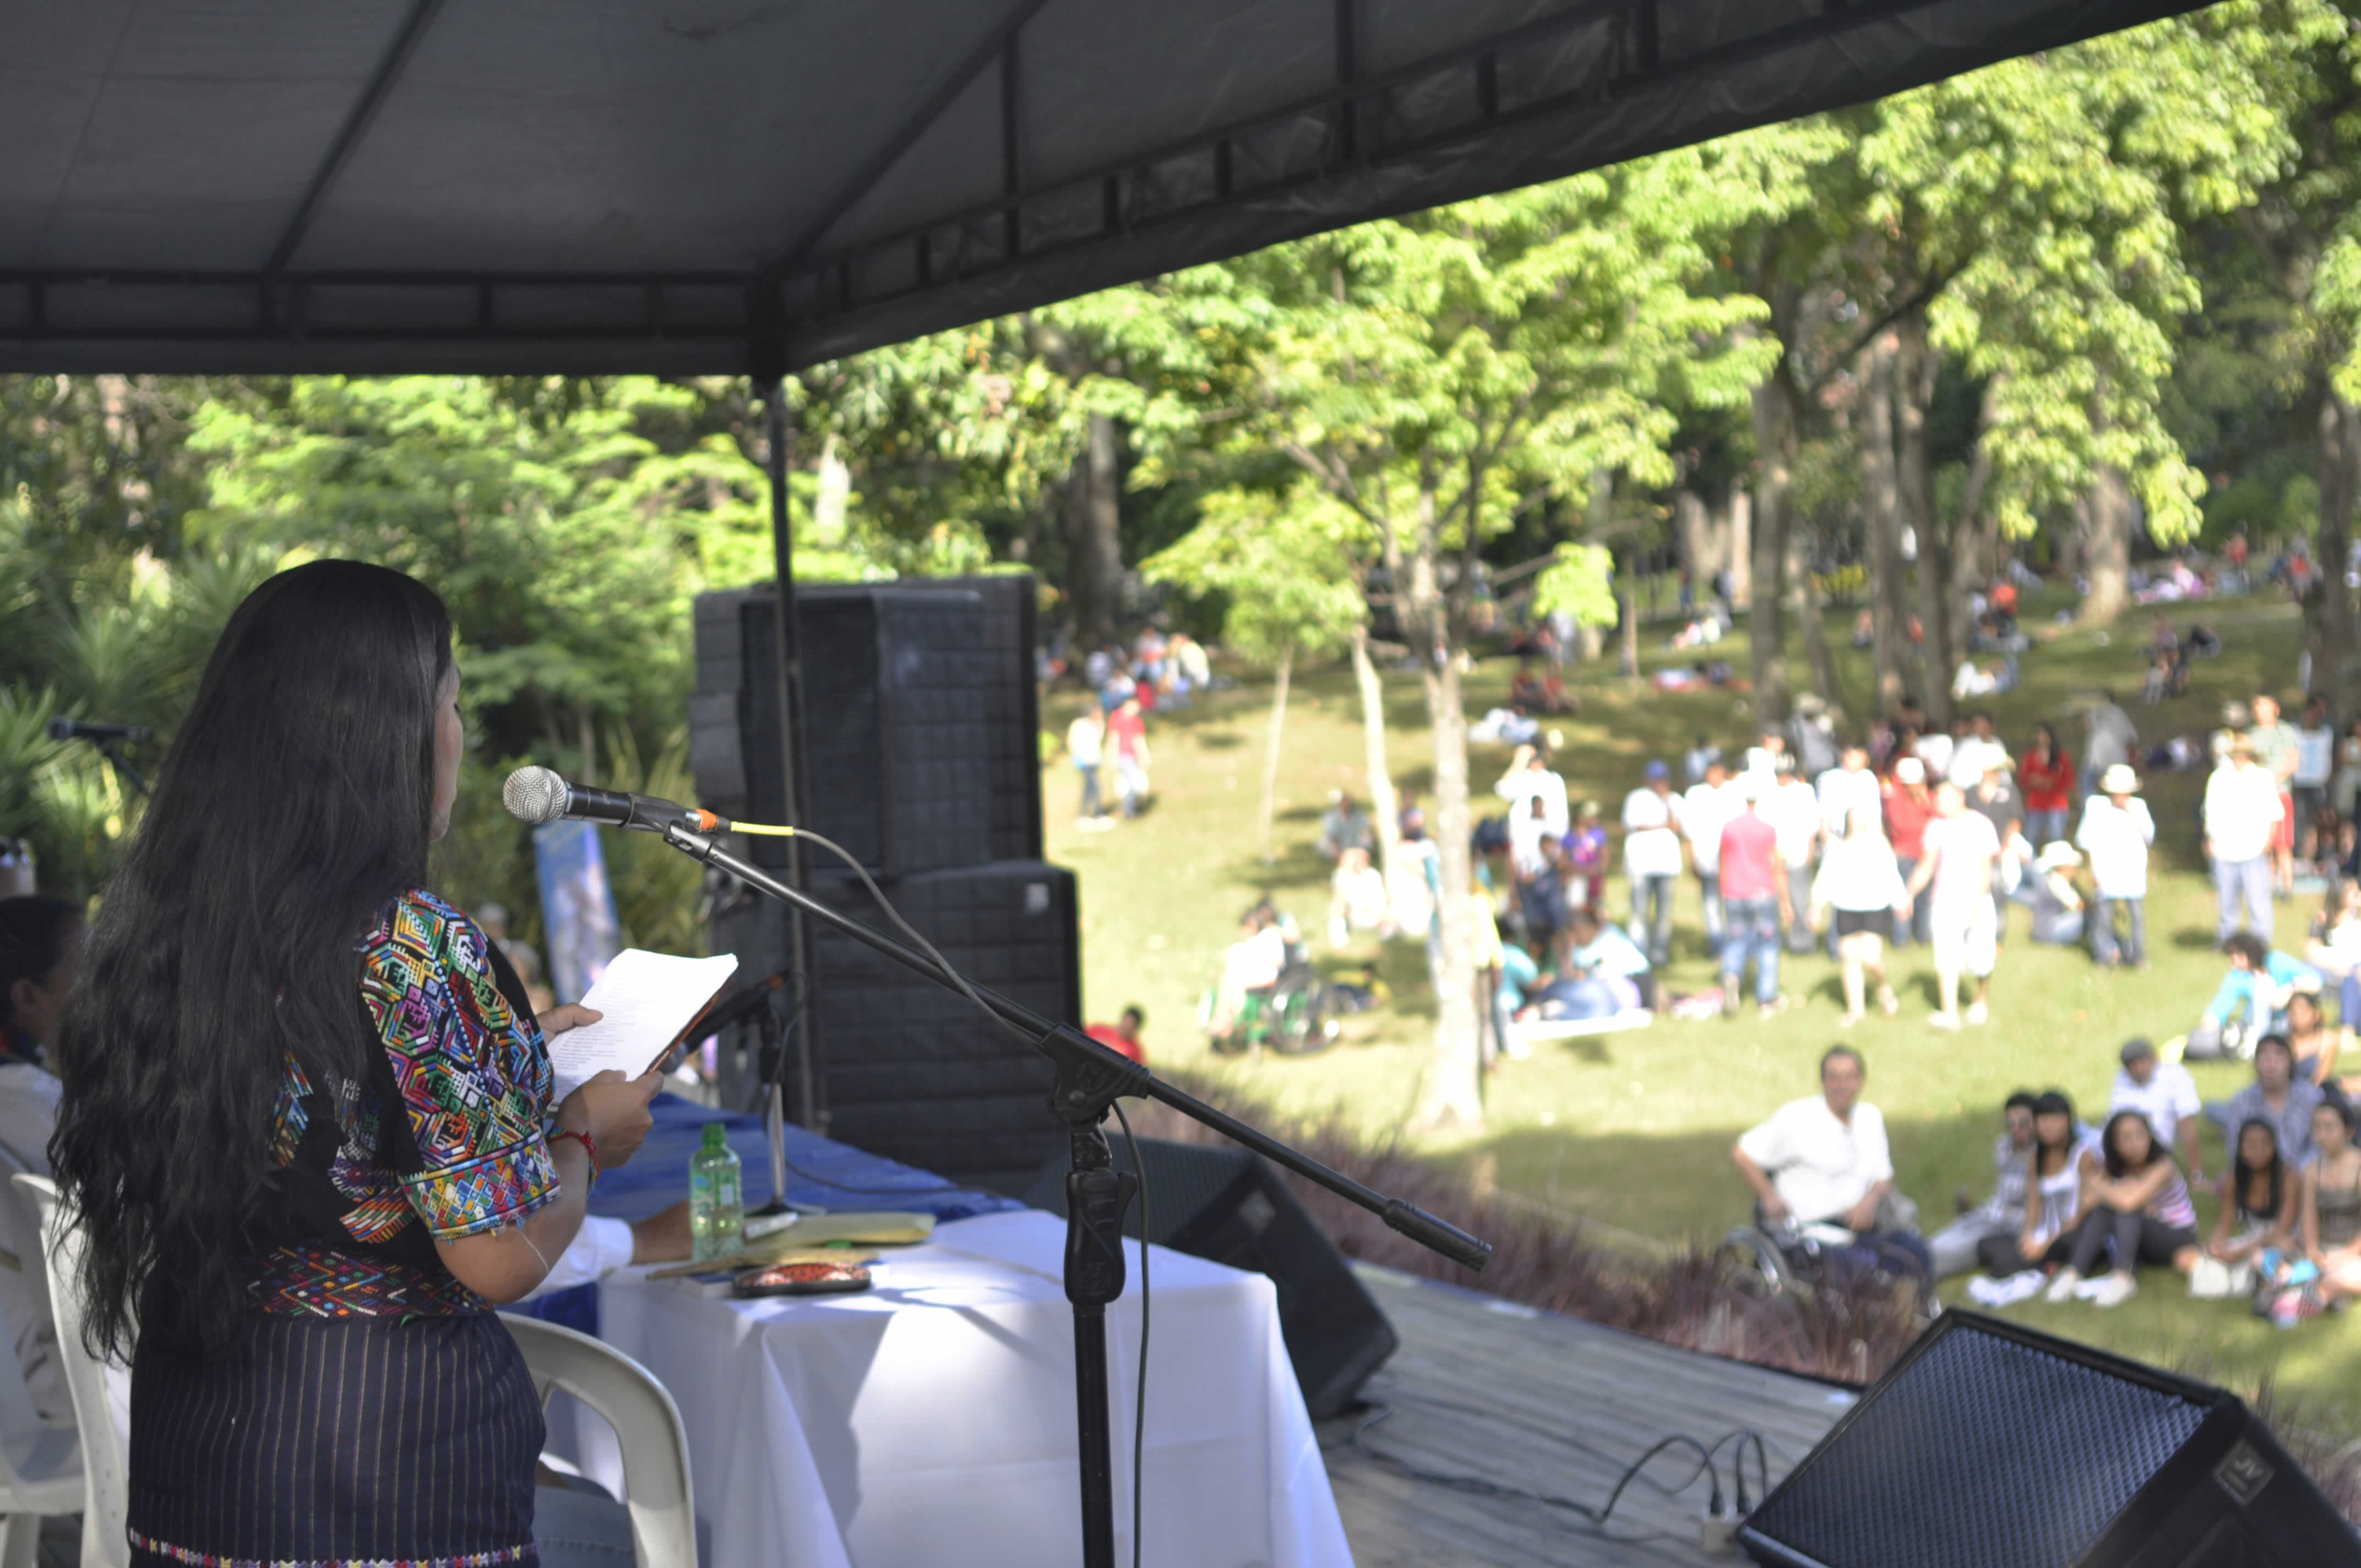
2079,1210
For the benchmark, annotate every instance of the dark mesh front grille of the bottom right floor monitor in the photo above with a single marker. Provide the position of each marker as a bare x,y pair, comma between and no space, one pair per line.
1984,1456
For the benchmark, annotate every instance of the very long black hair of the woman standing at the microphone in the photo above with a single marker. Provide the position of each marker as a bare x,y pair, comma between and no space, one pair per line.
294,806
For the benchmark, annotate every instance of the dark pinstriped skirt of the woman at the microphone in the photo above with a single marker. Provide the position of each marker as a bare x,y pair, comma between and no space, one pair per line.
400,1442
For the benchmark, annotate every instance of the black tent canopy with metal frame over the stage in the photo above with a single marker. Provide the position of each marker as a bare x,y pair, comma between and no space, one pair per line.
754,185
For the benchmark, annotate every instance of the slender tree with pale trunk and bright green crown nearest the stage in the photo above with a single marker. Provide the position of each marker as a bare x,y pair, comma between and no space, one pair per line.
1430,372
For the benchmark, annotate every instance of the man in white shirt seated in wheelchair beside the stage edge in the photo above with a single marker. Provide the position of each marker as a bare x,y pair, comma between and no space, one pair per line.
1822,1170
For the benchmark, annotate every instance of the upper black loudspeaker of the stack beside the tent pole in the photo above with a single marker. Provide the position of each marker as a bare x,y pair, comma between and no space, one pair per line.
920,719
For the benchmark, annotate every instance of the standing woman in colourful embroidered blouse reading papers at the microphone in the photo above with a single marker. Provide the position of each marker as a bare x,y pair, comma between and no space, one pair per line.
308,1128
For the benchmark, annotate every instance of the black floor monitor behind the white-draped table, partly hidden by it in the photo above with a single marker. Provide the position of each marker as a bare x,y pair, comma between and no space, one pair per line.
1227,1206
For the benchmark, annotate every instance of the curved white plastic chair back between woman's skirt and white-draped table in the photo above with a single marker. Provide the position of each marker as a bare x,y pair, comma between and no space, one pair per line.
646,1425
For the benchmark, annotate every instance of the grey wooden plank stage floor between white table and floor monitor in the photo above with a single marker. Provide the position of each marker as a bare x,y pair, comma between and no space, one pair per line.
1571,1406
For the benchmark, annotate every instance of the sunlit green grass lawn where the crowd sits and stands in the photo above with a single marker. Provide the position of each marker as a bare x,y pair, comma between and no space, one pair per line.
1635,1130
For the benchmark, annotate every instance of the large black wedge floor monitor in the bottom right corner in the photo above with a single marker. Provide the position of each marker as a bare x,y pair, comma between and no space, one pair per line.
1992,1446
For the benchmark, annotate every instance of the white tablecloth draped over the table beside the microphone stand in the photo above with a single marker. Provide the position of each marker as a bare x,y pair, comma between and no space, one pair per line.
931,1420
